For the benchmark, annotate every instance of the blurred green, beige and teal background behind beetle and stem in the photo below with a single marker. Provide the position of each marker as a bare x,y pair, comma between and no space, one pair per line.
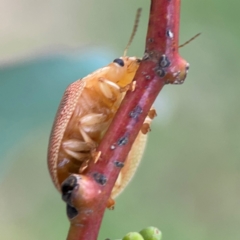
188,183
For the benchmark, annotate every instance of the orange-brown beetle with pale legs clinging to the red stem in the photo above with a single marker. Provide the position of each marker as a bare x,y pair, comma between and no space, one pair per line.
85,112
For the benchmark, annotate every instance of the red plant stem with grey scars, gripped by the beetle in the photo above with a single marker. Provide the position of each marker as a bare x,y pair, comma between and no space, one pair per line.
161,64
